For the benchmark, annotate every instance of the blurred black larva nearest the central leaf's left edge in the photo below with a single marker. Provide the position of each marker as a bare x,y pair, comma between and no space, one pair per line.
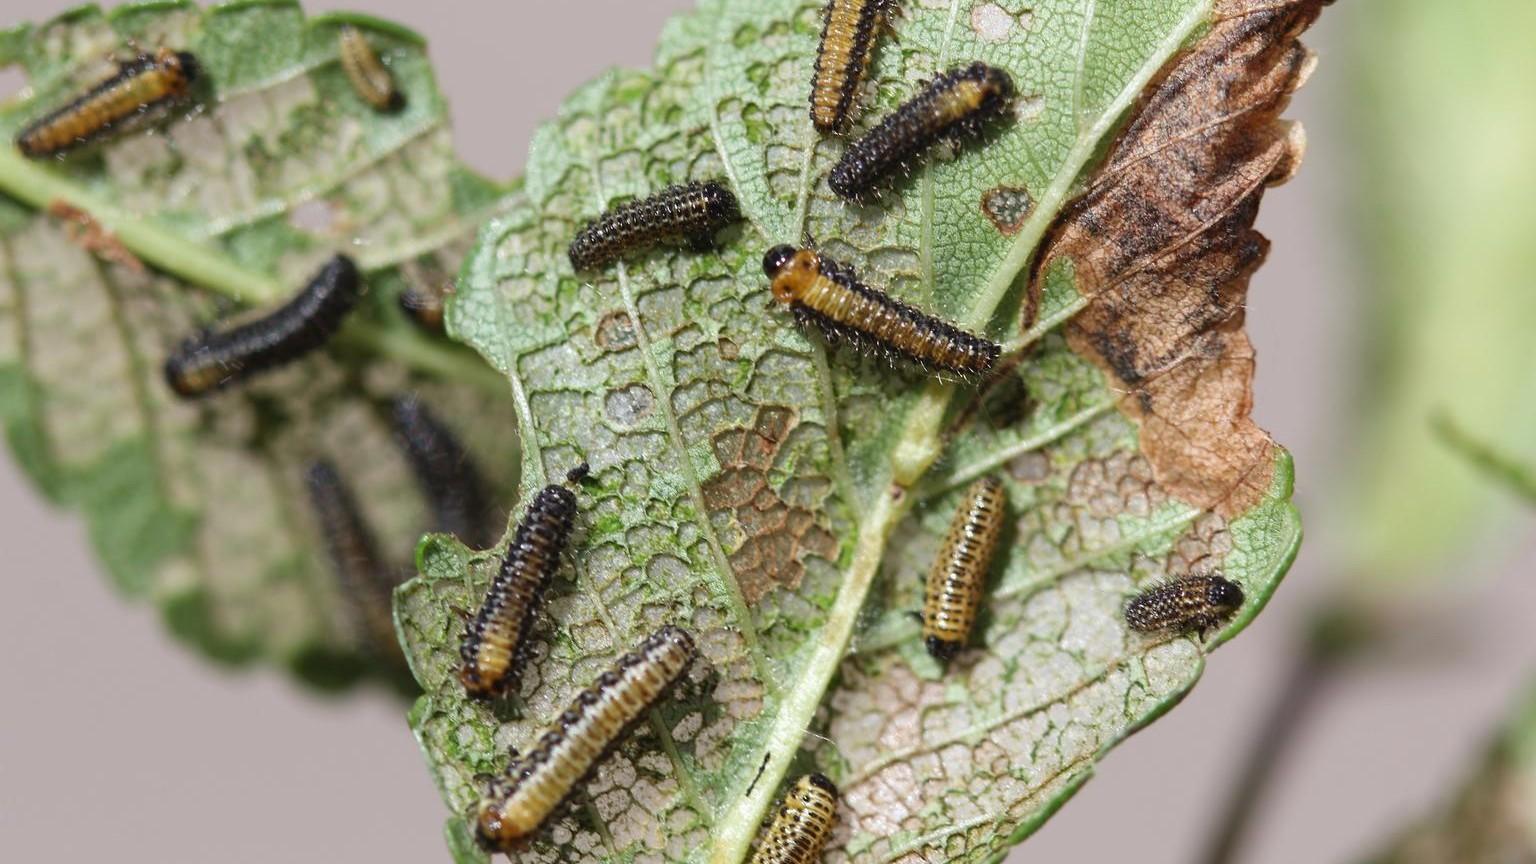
448,476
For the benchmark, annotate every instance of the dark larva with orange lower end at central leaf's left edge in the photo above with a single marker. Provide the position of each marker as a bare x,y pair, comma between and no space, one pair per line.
497,639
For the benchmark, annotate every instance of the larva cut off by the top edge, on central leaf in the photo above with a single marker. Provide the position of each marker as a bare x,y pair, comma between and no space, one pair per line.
842,59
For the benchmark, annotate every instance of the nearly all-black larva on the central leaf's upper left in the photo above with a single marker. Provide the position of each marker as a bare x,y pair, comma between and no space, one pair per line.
690,213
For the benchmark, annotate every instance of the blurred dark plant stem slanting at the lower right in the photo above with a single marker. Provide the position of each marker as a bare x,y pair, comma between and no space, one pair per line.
1311,671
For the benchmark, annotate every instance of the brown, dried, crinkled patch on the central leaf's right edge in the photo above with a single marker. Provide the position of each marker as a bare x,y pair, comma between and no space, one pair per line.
1164,245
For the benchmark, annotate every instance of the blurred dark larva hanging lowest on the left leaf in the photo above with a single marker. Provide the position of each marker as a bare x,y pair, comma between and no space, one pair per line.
366,580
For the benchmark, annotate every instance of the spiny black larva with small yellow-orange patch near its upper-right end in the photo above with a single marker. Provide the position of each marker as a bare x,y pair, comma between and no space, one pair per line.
955,105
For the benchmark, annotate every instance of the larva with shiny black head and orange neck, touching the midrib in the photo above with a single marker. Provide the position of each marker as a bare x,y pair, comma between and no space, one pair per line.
827,296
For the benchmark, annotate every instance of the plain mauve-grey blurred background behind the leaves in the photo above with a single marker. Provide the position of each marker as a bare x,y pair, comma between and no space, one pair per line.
118,743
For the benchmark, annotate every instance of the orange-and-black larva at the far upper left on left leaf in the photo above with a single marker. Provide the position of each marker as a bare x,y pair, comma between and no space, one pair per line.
142,90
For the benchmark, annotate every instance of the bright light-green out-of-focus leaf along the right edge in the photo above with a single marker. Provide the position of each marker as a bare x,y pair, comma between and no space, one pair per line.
1446,242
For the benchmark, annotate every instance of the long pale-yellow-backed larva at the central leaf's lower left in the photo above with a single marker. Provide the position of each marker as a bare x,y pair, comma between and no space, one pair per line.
540,782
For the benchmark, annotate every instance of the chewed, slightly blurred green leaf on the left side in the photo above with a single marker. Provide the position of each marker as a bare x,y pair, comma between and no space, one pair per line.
202,508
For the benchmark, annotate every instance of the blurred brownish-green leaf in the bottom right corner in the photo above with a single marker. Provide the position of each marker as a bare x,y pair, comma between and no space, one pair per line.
1489,820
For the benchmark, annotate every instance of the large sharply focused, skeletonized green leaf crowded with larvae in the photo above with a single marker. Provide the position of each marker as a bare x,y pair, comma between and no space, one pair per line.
786,503
